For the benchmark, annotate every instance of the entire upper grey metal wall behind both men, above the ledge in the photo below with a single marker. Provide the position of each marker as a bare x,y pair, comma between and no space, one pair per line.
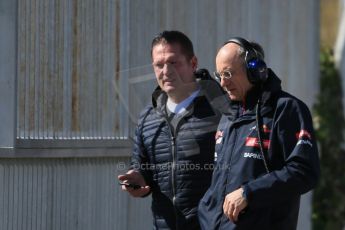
76,59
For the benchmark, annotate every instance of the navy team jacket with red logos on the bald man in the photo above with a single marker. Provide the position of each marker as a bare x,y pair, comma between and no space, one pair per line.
291,153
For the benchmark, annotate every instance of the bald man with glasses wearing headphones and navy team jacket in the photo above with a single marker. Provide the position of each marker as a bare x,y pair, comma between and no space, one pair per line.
266,154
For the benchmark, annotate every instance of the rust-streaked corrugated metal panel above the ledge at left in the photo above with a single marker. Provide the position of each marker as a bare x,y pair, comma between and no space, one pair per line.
69,70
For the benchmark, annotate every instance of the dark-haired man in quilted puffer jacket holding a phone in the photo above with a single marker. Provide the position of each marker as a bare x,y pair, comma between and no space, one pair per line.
174,147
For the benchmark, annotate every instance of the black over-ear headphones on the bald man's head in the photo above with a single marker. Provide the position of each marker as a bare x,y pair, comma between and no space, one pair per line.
255,65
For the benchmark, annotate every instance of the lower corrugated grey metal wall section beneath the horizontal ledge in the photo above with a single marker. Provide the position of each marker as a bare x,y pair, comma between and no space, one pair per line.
68,194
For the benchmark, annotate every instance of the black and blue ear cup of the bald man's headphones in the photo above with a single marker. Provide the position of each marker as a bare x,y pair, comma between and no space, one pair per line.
256,71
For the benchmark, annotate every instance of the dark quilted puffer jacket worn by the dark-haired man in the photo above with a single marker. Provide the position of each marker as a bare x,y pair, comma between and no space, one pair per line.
176,160
